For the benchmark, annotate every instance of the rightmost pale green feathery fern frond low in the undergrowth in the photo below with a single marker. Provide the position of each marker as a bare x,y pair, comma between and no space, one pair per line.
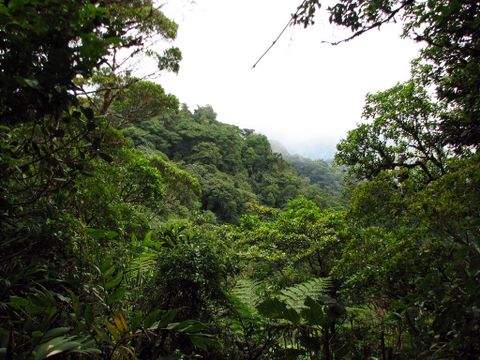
296,295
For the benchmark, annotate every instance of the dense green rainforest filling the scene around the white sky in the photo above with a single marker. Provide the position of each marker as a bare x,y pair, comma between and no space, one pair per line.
134,228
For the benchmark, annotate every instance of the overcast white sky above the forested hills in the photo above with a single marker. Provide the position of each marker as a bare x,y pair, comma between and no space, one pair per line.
304,94
